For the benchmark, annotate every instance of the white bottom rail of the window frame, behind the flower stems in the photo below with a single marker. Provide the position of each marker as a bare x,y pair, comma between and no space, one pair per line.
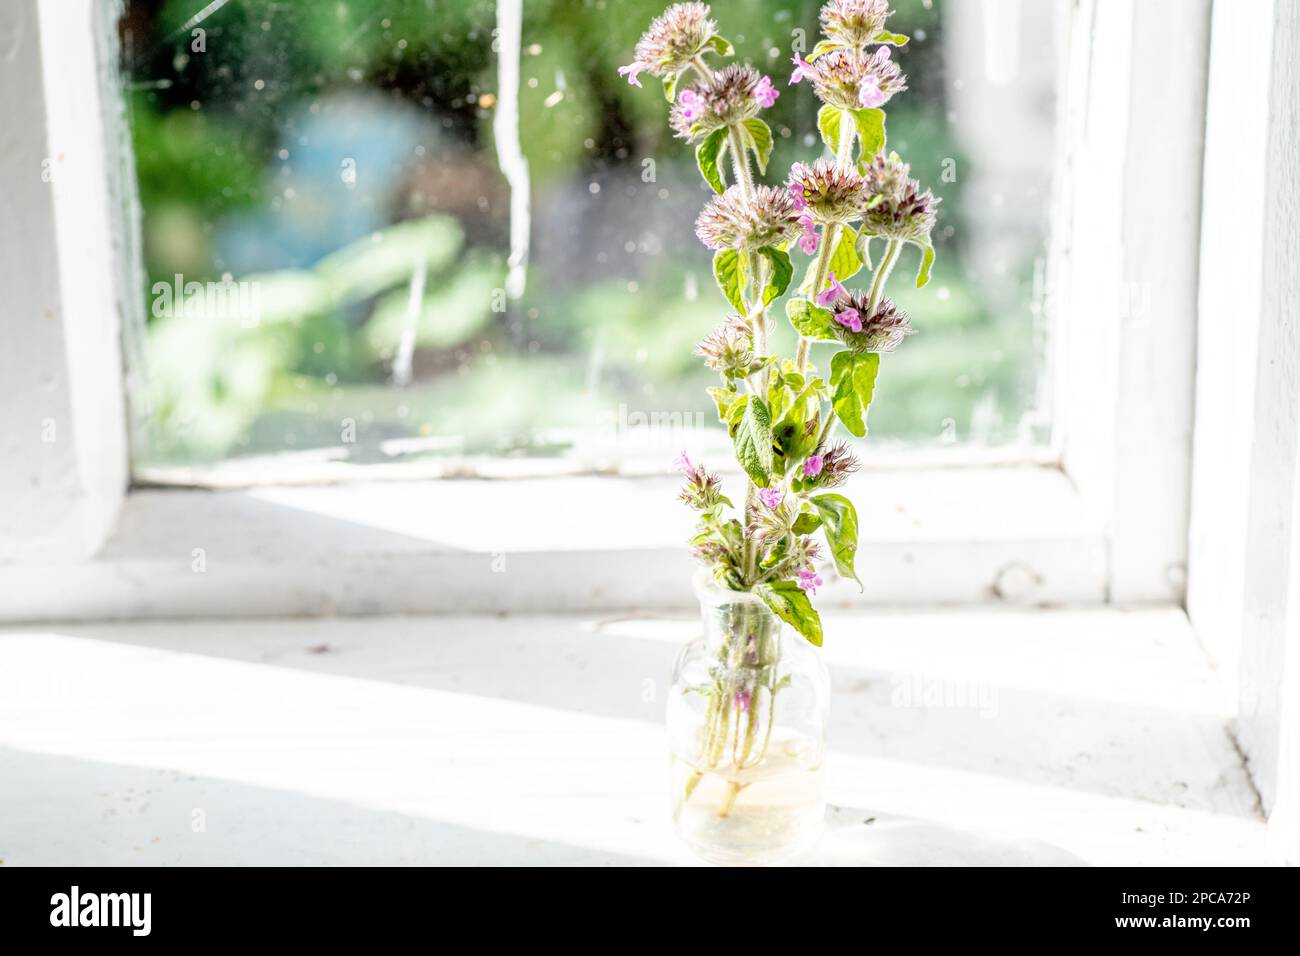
943,537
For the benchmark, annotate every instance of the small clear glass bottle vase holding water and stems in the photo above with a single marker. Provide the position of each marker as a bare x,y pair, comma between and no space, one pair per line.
747,730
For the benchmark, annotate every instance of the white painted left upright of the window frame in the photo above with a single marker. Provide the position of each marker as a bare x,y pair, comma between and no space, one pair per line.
62,408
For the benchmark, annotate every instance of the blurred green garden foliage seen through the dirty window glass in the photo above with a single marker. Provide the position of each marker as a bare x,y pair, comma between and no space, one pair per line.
241,179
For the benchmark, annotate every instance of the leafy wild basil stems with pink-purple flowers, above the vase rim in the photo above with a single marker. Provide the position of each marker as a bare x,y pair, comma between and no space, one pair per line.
839,213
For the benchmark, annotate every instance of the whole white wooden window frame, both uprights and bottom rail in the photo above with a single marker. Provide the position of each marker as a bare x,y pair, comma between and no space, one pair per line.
1104,518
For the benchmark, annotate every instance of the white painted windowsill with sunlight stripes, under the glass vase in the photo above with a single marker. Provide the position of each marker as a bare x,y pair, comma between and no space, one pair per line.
1102,739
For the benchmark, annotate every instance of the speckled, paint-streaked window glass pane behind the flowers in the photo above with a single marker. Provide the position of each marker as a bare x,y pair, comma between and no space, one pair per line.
328,232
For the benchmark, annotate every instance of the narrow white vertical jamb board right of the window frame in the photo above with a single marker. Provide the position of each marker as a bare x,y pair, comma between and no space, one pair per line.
1234,198
